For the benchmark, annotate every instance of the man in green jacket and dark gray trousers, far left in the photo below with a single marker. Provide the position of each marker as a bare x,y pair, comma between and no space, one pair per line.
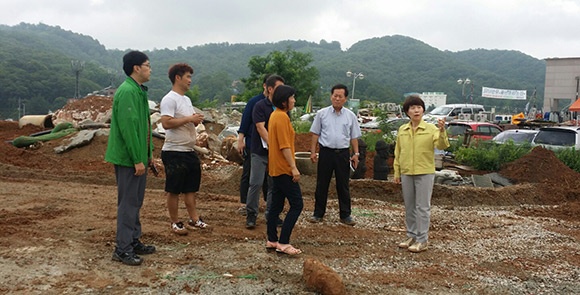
130,149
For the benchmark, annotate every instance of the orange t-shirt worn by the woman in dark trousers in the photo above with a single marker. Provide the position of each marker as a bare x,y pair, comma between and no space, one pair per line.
280,136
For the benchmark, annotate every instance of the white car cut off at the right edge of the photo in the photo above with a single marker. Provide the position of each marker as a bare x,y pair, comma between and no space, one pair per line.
558,137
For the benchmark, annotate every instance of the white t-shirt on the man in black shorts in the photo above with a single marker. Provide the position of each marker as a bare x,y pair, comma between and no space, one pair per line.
182,138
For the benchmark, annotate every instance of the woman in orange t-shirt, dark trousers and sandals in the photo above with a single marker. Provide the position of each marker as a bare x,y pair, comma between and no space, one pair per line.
282,169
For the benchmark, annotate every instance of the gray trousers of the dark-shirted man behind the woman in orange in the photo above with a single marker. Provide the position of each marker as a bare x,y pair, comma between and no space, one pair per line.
259,168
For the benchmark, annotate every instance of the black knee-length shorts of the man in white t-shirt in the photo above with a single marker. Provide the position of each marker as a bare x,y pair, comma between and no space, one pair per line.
182,170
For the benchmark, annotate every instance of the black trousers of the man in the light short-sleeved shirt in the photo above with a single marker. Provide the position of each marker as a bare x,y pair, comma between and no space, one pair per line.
329,161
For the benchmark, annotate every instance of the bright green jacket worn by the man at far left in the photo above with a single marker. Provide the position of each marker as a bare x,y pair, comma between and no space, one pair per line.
130,134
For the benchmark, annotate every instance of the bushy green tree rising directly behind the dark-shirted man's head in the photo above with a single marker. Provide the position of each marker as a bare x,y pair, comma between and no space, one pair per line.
294,66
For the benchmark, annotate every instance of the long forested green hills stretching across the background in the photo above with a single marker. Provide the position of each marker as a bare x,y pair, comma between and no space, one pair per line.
35,67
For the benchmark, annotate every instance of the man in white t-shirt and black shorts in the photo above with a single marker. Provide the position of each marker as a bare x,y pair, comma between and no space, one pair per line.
182,165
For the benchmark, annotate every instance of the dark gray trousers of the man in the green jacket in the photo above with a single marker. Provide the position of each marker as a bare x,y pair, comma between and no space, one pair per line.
130,195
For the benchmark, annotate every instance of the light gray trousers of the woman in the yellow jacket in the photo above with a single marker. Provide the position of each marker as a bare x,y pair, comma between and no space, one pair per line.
417,190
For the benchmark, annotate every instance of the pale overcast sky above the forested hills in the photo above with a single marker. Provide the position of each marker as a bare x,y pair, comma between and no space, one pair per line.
539,28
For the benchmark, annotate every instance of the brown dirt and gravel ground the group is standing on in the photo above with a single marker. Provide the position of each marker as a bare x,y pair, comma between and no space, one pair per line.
58,214
